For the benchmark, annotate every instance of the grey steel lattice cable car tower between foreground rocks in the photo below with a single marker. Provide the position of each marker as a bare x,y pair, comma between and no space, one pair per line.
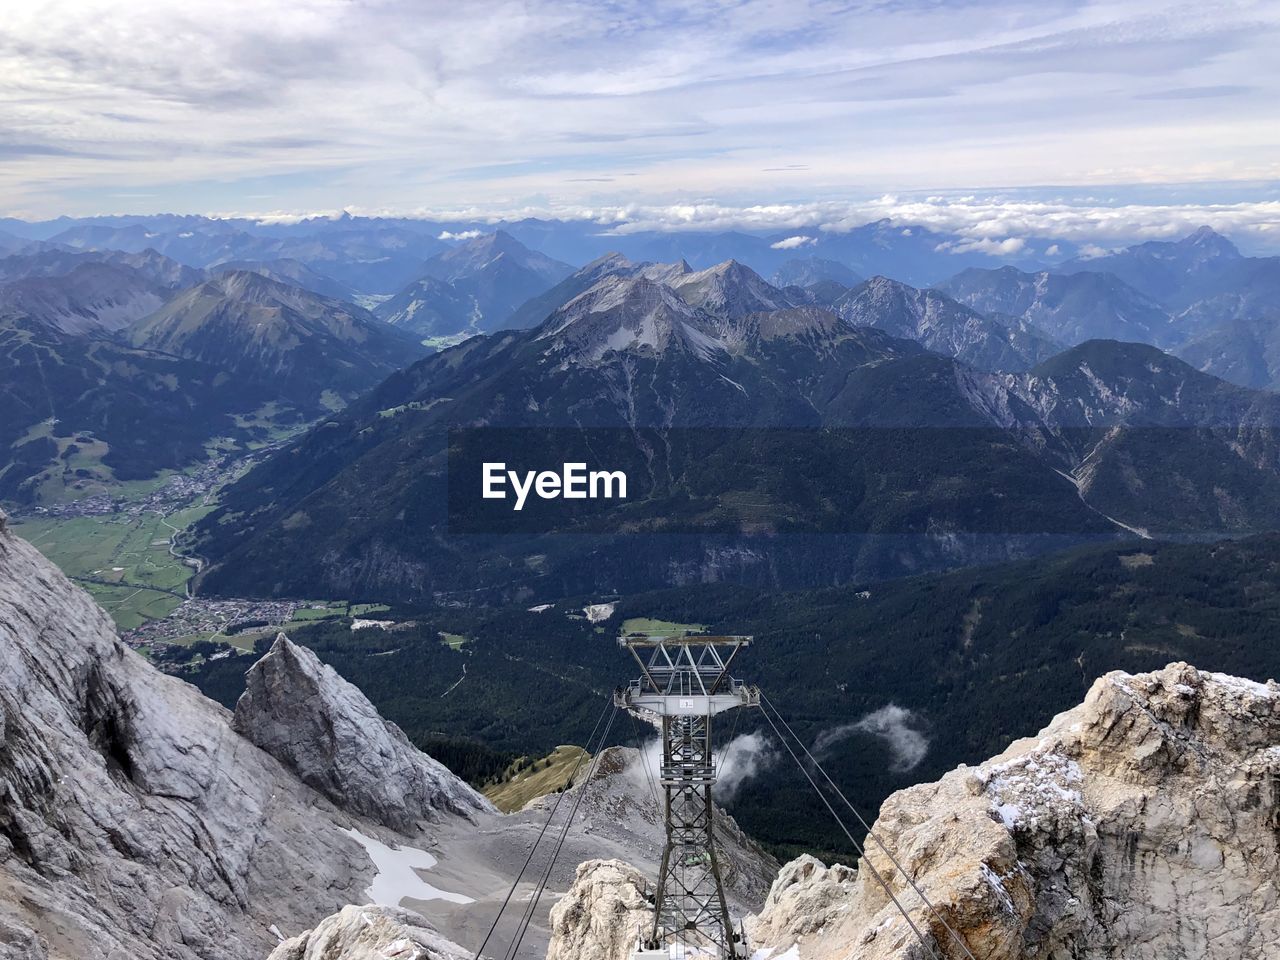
685,682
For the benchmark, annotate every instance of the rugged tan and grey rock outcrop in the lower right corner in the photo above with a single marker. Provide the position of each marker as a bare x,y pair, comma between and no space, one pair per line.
1144,825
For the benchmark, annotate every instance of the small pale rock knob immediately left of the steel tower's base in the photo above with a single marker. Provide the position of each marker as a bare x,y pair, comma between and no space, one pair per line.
602,913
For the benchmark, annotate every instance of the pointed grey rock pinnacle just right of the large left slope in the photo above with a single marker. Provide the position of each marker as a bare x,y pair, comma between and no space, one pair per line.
323,729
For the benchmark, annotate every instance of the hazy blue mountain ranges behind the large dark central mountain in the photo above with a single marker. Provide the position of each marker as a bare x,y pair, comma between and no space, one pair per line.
1199,299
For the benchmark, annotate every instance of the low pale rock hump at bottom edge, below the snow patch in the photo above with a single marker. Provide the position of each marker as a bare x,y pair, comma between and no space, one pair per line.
371,934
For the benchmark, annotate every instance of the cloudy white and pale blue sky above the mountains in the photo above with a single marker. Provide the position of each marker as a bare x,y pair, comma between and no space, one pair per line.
730,111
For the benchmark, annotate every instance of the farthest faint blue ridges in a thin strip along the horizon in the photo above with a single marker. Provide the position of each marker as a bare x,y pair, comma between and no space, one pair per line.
383,255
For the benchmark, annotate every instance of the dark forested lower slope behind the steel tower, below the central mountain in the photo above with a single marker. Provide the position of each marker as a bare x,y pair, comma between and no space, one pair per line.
908,678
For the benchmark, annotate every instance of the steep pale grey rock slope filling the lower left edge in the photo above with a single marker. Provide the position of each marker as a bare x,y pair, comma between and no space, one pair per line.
135,825
